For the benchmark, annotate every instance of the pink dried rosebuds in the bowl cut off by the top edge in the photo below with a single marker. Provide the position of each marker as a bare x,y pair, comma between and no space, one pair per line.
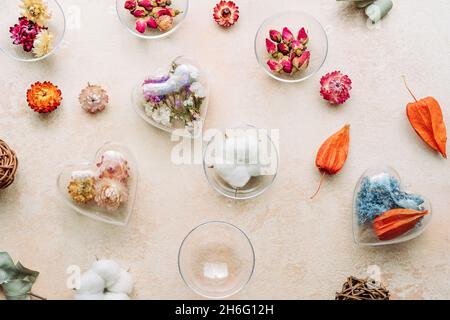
152,14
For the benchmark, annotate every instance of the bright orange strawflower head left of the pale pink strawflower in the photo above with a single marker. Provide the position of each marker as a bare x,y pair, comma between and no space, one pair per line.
44,97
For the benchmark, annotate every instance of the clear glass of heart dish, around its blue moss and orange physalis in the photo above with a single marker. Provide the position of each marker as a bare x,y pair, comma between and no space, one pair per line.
363,232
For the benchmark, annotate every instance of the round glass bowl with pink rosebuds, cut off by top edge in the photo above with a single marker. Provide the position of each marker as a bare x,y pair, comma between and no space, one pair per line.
152,19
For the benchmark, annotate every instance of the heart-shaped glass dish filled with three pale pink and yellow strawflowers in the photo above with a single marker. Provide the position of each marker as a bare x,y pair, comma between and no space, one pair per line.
104,189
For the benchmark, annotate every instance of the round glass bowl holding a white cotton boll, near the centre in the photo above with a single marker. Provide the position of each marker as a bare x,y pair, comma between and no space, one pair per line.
260,154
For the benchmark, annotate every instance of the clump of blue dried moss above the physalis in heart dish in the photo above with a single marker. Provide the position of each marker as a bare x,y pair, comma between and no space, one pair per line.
381,193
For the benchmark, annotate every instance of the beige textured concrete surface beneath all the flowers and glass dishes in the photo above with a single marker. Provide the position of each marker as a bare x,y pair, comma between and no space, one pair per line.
304,249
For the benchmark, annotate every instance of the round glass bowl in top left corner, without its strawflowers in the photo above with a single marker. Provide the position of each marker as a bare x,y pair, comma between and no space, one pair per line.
9,16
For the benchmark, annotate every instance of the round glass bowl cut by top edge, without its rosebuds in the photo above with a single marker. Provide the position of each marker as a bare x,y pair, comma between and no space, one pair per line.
129,20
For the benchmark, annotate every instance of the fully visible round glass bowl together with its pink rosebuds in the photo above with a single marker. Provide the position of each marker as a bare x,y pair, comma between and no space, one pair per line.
291,46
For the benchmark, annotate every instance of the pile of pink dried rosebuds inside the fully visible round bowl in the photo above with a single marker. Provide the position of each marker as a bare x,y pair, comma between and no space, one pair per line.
289,54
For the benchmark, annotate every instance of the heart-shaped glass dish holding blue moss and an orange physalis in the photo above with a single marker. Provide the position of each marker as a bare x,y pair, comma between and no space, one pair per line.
378,191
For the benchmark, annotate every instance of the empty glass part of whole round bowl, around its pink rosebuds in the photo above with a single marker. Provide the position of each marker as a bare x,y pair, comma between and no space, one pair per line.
294,20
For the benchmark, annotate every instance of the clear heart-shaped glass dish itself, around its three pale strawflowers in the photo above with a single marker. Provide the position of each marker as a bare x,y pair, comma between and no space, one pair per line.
119,216
